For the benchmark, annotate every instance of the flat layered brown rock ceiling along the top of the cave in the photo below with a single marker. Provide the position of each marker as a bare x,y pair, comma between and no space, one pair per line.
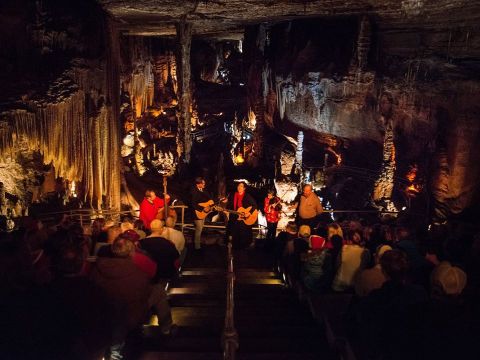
227,18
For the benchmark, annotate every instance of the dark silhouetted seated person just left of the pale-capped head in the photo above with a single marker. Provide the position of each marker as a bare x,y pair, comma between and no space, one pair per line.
389,320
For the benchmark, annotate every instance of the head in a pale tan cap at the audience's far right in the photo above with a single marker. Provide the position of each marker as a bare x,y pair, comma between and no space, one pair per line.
447,280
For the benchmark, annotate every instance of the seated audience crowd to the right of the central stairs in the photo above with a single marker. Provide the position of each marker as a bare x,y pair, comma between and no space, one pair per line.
414,294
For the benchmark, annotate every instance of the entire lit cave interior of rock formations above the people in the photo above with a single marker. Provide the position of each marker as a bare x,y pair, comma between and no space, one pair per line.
375,104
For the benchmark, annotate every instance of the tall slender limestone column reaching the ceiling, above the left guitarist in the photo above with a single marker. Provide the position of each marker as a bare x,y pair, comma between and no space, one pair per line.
184,41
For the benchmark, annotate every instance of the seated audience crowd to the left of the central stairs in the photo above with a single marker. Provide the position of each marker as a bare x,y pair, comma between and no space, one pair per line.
73,292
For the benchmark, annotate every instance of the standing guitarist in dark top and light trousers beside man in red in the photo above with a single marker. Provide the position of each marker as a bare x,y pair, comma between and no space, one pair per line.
201,203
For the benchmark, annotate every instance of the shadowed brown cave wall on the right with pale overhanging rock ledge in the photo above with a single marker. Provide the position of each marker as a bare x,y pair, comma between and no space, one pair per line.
349,78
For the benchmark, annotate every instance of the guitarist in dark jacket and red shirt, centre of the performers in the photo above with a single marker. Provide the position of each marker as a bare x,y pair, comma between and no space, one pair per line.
241,233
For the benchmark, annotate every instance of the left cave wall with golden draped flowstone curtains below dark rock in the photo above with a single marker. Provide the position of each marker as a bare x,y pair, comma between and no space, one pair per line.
61,97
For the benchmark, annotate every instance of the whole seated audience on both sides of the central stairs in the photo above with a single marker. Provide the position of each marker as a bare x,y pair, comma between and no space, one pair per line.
417,298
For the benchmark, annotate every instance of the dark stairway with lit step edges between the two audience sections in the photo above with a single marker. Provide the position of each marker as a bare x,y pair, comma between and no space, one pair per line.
270,322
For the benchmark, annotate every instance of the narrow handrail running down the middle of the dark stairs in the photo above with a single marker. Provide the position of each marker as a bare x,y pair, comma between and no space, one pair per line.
230,335
